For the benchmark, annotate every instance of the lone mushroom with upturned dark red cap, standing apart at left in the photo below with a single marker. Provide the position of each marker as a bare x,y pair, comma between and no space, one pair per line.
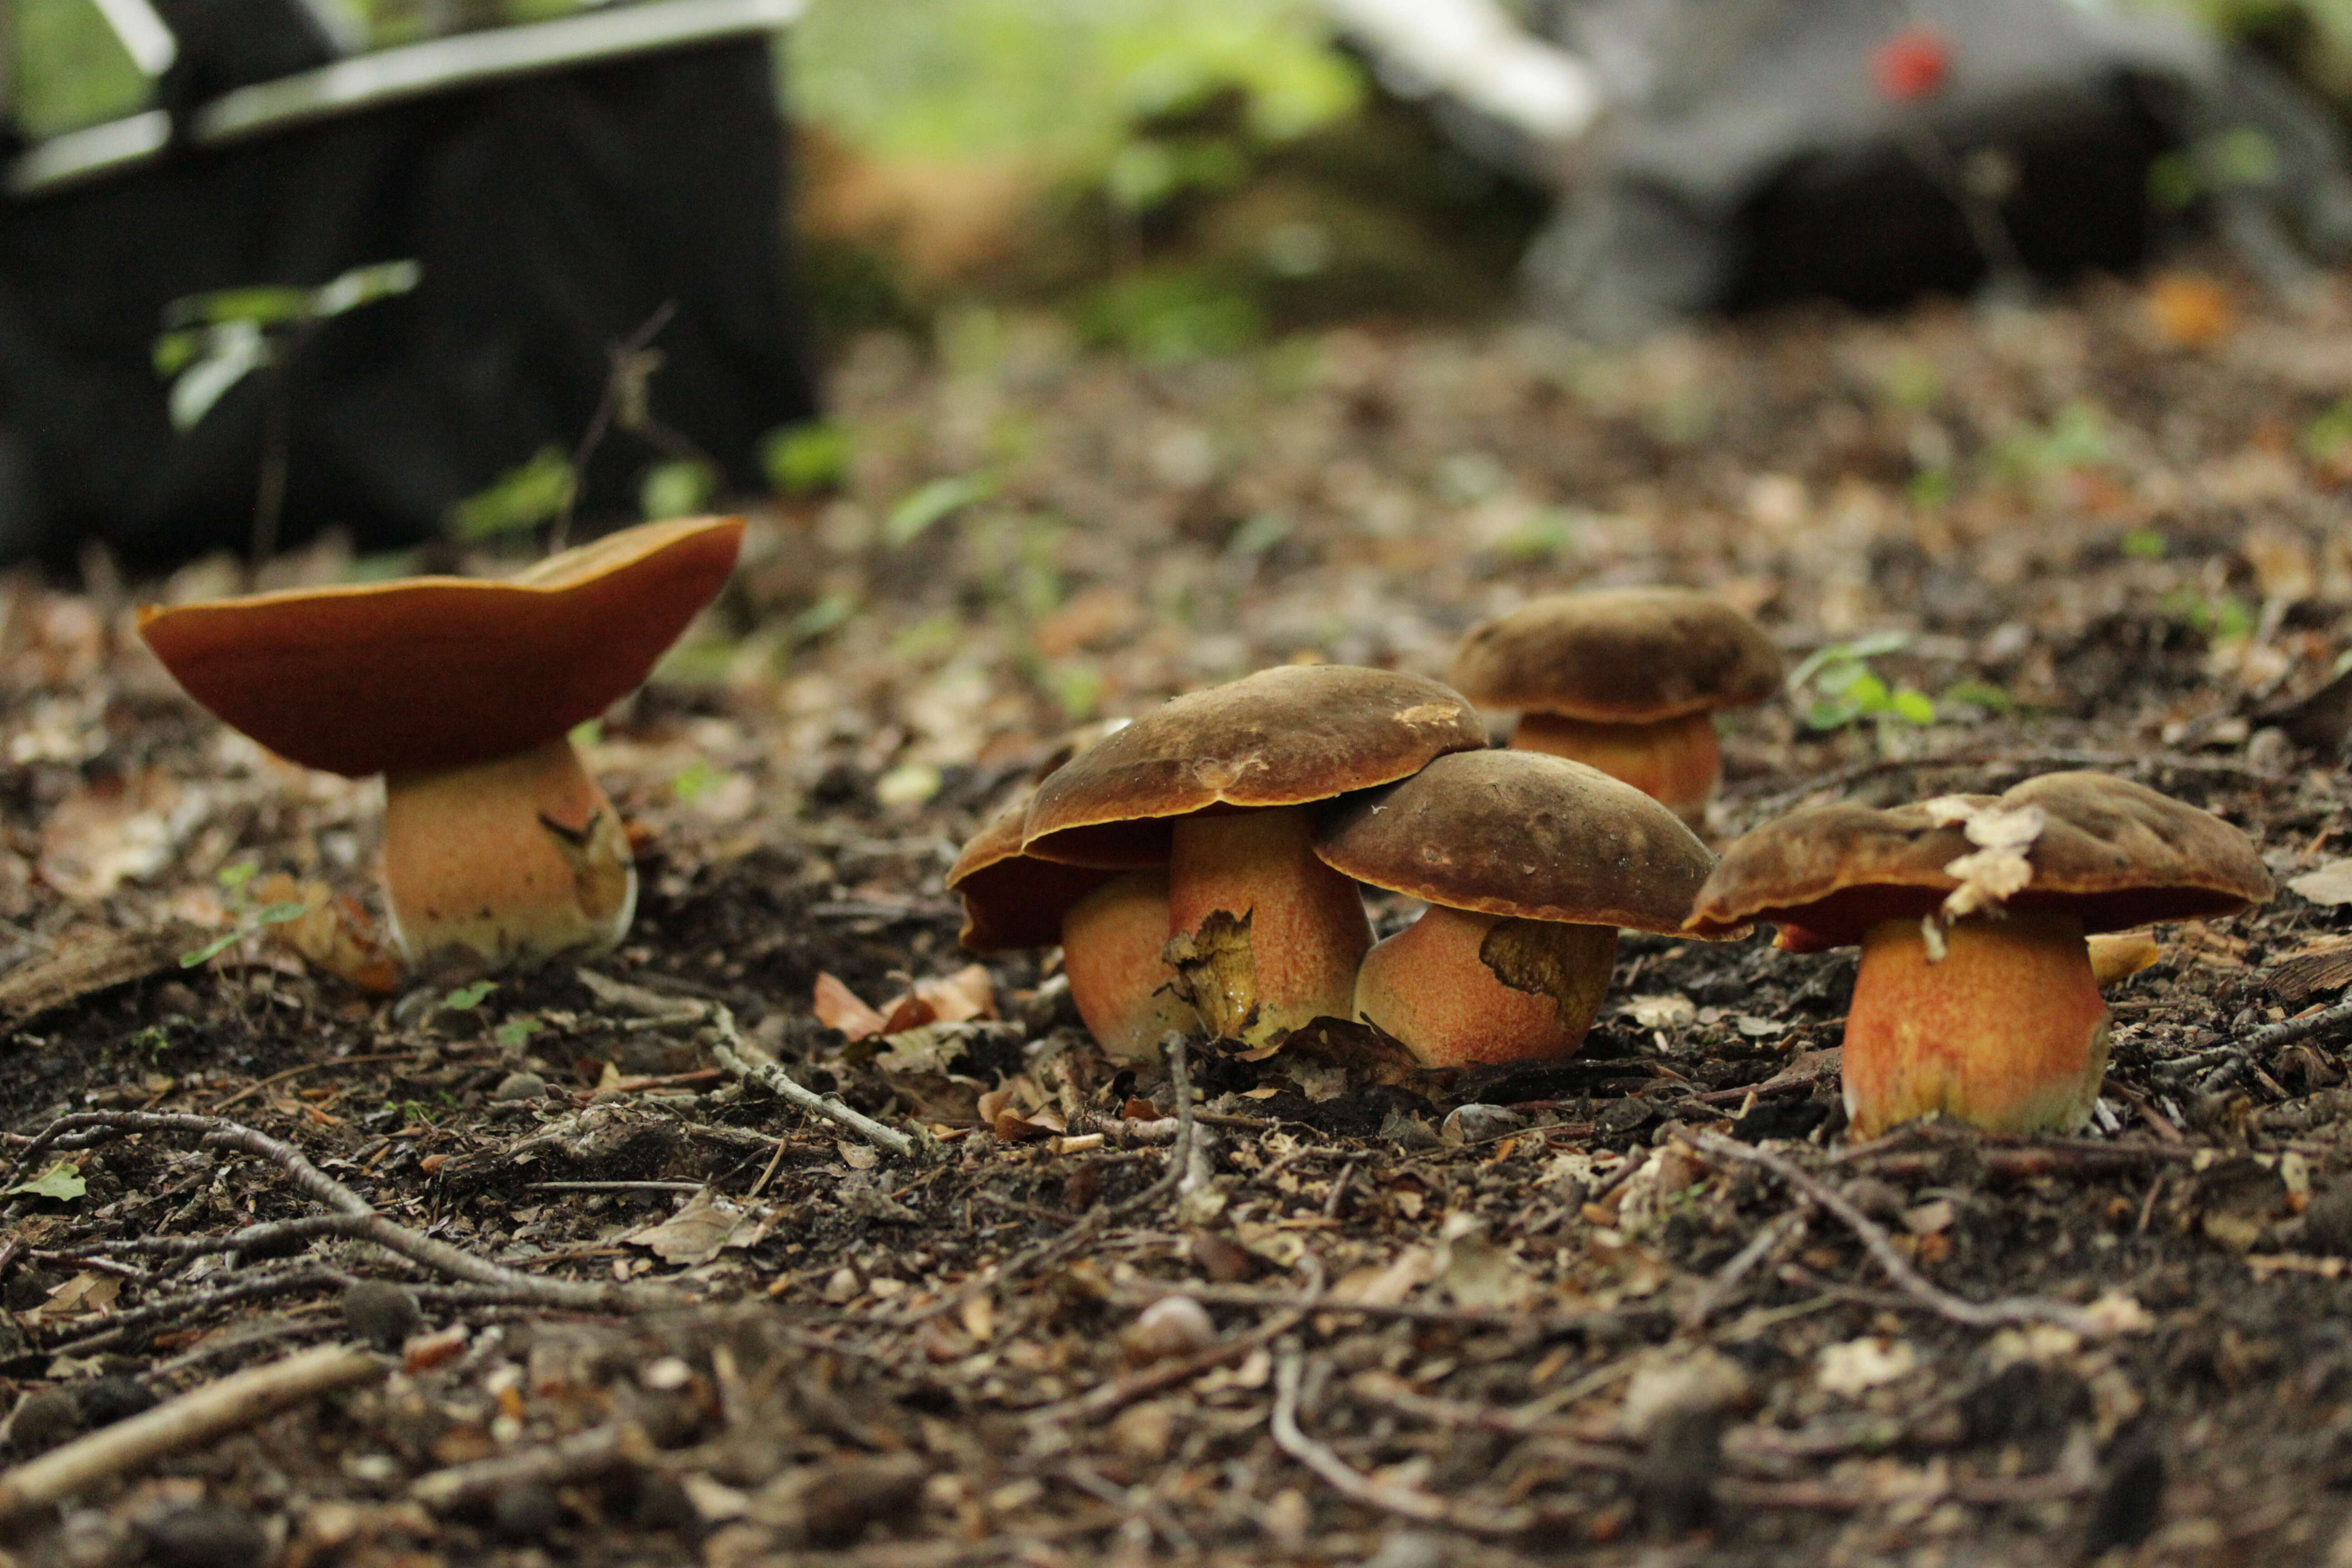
462,692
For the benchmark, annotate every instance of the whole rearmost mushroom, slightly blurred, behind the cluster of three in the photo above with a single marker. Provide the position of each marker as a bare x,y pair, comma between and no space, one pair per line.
1624,681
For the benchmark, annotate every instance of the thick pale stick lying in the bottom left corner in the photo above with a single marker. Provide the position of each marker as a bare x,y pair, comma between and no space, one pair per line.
187,1421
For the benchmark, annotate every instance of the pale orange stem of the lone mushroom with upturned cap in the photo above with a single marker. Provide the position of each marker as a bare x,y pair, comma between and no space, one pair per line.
507,862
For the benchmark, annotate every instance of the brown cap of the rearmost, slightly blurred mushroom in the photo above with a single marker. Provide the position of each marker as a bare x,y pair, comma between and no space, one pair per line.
1619,657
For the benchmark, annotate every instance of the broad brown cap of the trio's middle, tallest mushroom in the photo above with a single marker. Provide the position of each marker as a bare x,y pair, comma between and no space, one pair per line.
1281,737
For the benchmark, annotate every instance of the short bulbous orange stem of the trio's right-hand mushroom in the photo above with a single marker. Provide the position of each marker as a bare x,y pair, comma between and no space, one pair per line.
1438,991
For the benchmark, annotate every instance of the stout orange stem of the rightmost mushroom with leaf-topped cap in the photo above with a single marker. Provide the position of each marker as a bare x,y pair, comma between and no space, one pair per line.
2005,1031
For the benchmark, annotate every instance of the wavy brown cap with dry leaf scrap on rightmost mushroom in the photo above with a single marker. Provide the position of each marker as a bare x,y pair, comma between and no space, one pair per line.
2113,852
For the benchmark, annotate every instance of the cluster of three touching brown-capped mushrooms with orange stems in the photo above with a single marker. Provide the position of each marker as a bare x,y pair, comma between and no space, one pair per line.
1227,833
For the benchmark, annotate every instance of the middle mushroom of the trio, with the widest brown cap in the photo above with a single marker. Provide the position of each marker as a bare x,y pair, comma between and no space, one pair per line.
1220,786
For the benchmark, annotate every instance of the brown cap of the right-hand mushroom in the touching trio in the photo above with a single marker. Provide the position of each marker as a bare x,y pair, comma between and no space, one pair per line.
1523,833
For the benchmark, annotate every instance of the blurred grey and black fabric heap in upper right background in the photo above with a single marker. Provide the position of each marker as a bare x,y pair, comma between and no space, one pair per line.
1751,154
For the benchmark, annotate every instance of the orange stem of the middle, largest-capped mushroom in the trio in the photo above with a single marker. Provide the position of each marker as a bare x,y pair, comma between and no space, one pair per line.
1307,920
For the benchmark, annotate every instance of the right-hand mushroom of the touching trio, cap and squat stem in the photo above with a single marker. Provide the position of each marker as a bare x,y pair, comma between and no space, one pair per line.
1530,866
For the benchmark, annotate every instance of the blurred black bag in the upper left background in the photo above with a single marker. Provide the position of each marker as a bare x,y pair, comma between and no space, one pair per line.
552,217
